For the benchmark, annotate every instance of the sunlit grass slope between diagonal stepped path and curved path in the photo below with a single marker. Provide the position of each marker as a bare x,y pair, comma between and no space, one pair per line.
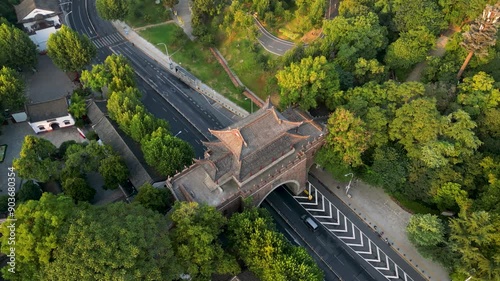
248,65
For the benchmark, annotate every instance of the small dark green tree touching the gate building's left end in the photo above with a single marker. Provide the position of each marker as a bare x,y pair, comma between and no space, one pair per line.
156,199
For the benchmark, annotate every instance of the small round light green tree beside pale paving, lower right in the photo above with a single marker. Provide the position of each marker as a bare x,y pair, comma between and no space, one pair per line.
425,230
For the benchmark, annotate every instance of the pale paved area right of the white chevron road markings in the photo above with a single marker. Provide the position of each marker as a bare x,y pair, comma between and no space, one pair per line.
382,214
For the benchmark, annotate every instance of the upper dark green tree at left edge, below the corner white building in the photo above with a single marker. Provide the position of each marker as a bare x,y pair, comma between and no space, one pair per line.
17,48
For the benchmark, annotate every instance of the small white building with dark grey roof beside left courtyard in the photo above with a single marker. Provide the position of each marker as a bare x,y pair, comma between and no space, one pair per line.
49,115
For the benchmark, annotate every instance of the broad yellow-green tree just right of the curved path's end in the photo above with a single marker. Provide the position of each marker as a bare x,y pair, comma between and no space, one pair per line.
353,38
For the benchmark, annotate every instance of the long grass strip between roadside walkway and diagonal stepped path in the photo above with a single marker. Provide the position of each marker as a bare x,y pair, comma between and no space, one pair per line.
195,58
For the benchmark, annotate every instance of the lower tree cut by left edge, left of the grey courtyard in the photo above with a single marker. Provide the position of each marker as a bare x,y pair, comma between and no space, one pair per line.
12,95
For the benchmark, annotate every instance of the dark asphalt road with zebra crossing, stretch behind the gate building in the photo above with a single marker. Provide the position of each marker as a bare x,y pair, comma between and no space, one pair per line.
164,95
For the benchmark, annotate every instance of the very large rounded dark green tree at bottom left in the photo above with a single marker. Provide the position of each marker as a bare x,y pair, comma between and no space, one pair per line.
132,243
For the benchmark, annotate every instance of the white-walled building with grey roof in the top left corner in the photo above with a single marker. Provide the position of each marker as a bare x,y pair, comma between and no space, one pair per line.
40,18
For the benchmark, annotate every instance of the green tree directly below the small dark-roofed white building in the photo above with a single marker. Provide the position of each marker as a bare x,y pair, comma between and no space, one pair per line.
36,160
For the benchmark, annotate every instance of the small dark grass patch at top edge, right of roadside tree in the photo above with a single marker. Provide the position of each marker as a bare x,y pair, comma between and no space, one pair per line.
147,12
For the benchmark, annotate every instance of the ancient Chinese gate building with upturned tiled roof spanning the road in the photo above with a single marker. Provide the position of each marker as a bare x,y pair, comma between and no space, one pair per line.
251,158
